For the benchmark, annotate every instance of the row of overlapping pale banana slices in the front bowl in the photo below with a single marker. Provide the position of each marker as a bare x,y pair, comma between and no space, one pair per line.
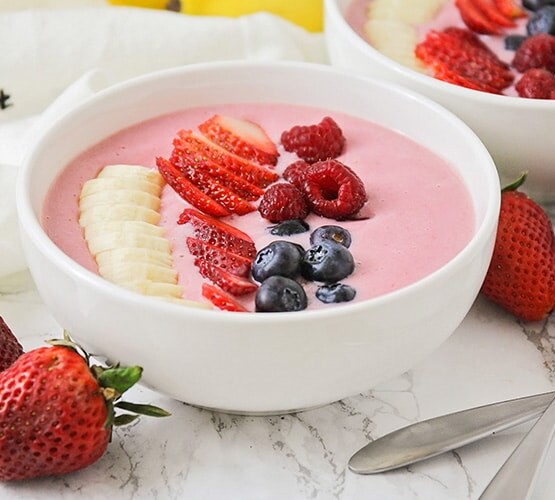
119,214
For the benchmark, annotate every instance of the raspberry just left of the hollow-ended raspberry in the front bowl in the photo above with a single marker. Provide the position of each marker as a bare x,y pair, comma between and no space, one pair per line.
283,202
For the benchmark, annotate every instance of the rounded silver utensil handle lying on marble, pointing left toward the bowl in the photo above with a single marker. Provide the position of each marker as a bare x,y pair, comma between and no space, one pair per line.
440,434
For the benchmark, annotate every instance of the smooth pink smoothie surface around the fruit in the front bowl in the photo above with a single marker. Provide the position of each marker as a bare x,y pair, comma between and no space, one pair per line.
420,213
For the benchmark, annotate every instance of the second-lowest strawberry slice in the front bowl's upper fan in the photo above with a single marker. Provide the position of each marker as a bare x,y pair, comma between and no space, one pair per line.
217,191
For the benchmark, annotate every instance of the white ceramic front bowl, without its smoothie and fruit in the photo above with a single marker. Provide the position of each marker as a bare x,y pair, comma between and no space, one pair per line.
259,363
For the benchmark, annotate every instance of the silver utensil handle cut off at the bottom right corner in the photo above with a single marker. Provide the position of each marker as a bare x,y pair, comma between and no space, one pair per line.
517,477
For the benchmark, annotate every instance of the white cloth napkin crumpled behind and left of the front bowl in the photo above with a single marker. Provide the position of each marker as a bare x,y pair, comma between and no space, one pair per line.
52,59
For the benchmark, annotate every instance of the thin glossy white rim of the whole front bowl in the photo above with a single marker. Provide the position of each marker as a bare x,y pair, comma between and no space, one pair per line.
30,223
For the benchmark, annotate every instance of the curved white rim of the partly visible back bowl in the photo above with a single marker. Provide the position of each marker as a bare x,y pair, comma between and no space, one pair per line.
331,8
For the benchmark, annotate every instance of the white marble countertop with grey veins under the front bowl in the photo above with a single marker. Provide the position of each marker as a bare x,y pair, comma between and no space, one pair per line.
201,454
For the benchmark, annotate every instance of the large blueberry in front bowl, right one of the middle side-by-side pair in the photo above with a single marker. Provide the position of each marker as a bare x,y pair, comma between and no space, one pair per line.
327,262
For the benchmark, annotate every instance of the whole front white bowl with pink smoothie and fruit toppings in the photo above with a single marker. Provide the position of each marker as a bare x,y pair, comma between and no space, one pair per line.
416,238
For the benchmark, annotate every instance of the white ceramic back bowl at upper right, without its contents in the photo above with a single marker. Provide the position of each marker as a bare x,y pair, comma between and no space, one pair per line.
515,130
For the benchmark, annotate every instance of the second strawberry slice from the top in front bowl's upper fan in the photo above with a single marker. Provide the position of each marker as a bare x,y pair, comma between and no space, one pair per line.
253,173
